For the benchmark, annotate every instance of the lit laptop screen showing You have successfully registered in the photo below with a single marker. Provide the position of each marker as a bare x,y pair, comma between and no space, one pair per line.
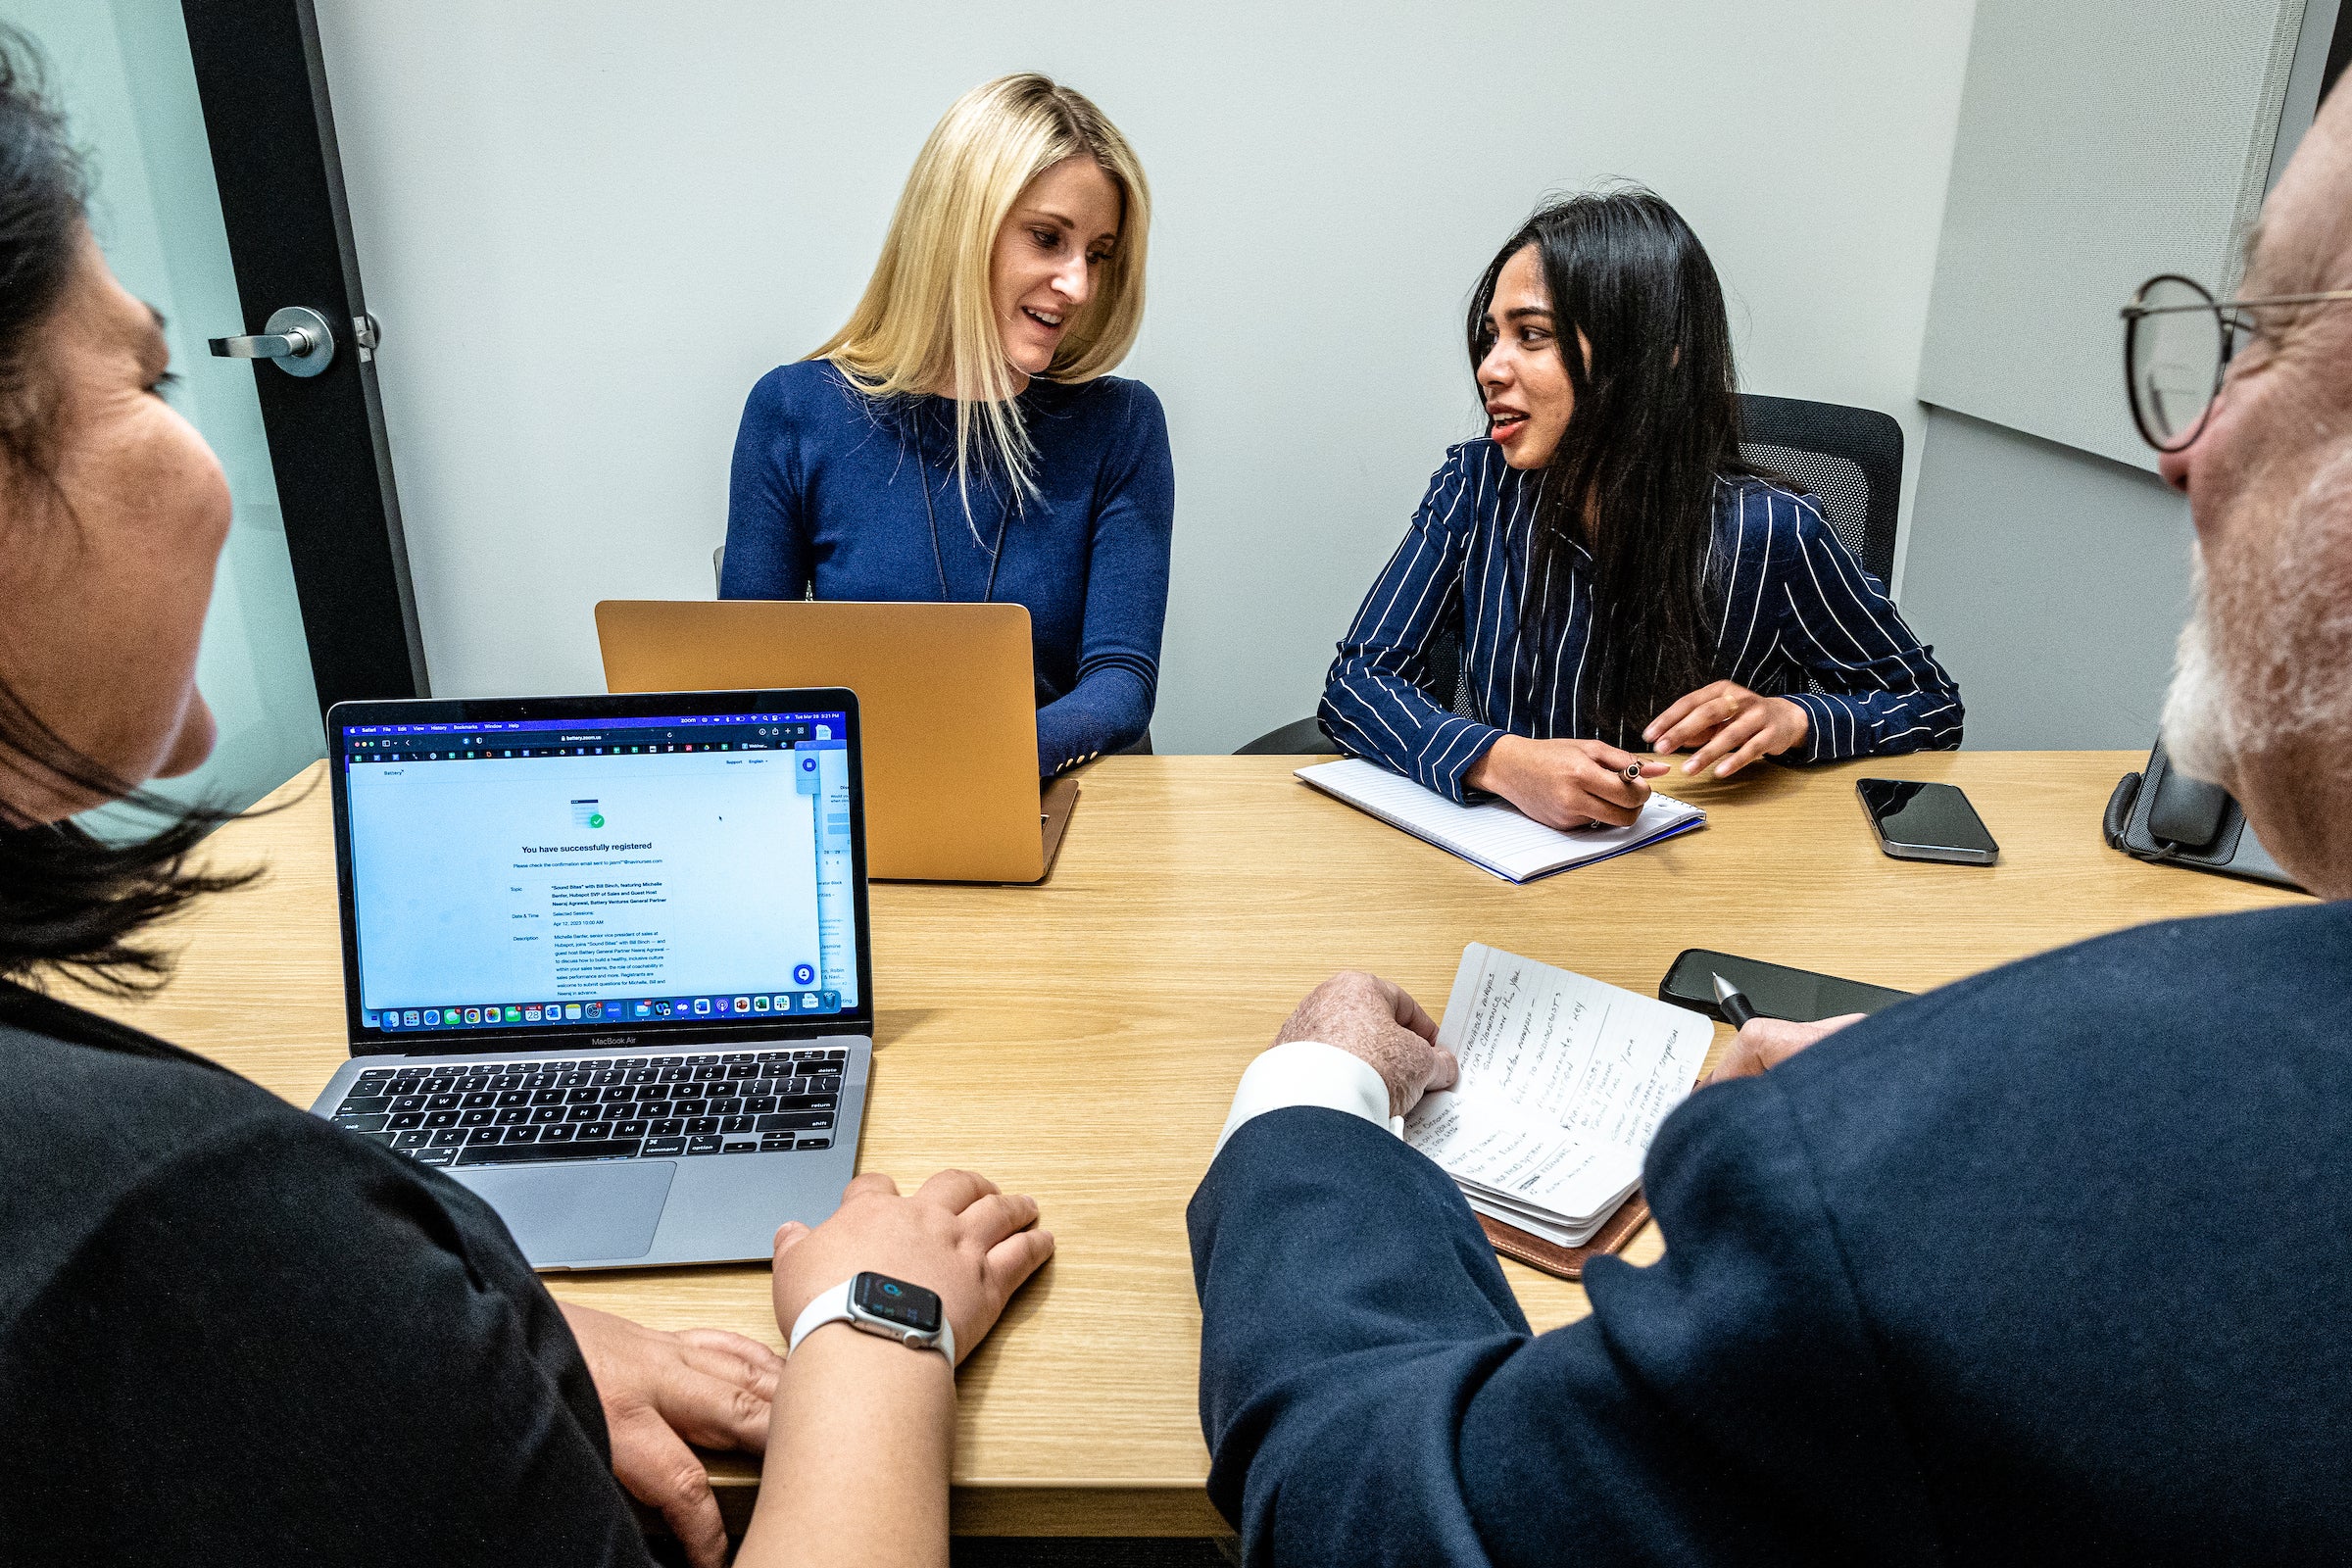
646,871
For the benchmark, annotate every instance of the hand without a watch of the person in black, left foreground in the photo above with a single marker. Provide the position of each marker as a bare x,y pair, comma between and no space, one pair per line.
667,1391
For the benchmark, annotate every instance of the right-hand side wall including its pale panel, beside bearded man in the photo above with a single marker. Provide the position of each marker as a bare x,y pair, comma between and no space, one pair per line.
2050,561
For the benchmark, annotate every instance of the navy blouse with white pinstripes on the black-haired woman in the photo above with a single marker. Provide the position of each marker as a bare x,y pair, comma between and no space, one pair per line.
1786,596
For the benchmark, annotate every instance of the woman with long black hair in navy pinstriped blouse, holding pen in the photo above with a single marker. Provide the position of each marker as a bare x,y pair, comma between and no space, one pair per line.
1610,563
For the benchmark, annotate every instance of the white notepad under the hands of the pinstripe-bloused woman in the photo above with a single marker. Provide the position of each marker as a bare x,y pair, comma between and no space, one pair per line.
1495,836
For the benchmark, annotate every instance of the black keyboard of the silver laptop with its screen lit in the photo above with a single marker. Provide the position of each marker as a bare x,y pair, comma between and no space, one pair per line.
603,1108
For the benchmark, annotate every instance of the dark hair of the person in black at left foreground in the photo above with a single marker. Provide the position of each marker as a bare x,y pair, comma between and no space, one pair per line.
69,899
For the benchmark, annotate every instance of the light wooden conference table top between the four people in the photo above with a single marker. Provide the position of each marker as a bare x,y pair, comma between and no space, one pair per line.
1081,1040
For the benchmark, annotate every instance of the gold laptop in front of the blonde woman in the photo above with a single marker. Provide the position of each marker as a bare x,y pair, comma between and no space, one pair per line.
947,695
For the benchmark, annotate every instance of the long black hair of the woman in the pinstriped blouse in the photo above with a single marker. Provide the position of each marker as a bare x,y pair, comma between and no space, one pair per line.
1633,478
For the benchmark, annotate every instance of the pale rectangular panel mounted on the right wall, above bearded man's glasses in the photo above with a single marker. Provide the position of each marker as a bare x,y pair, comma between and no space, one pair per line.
2102,142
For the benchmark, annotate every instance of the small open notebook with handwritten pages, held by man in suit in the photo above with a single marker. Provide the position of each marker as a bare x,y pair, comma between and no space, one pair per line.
1563,1085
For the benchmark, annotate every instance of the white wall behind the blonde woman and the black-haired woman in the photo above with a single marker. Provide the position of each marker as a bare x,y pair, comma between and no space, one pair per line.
592,225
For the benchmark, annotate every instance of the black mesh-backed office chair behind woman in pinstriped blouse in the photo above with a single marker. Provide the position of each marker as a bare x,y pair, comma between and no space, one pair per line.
1847,460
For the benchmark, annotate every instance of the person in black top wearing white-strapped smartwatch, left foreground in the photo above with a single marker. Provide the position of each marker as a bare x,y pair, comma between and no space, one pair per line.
232,1332
